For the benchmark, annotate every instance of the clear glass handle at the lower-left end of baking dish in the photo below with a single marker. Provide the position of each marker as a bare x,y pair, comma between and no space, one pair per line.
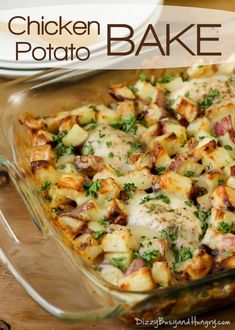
49,276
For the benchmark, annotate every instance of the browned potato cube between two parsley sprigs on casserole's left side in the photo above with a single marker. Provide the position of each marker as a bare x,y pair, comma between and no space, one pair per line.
71,181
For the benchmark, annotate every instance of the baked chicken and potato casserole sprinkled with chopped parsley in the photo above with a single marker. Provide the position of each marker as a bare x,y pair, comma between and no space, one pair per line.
143,188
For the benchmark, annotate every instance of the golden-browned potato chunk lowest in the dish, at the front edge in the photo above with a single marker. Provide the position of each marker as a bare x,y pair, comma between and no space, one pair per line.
138,281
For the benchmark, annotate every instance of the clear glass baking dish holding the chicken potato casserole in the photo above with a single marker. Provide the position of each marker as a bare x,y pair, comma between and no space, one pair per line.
52,274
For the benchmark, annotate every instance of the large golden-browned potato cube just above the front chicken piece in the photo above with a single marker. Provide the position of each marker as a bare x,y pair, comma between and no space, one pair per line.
174,183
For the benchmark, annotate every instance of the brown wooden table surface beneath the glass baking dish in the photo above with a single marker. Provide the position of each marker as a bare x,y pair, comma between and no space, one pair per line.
19,310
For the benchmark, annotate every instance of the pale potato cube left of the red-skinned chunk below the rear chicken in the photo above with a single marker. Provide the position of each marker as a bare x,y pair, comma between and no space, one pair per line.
199,128
